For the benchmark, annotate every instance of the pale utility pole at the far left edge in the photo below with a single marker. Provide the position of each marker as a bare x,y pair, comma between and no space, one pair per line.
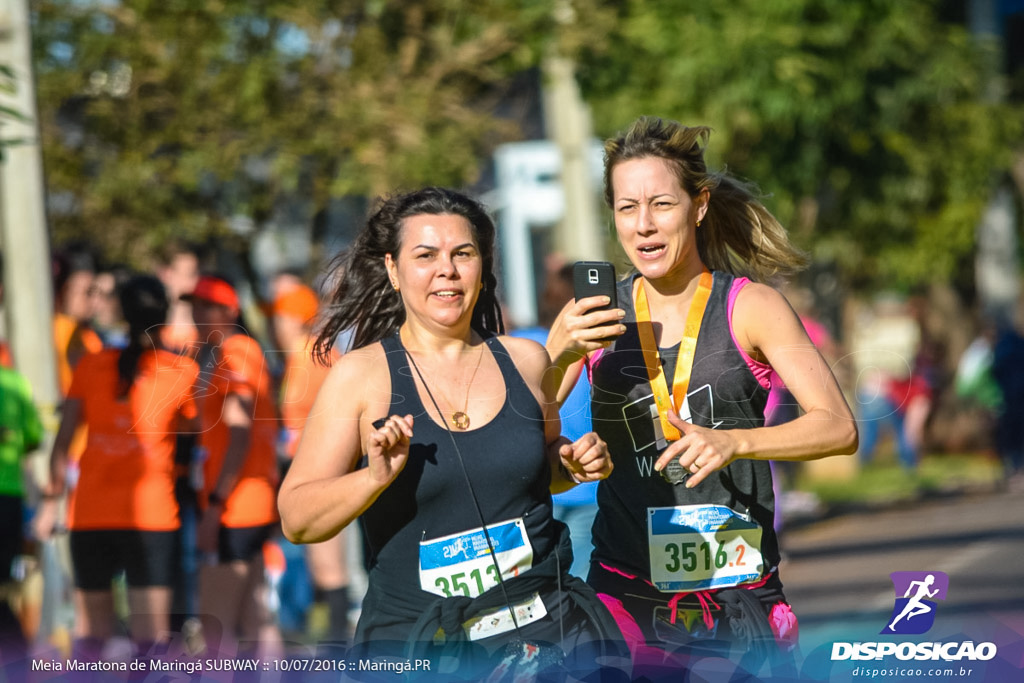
24,235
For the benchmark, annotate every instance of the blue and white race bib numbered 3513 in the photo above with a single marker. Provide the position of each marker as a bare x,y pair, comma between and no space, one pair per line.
462,565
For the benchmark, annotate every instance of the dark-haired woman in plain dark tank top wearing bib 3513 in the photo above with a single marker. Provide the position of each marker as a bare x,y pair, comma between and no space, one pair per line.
468,567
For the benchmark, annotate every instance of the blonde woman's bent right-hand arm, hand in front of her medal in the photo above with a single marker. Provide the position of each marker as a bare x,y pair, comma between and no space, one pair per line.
769,329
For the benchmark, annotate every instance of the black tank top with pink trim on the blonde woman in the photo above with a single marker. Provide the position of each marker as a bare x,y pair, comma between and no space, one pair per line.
723,395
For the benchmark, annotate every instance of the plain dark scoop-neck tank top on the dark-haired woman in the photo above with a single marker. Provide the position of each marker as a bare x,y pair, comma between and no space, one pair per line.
507,464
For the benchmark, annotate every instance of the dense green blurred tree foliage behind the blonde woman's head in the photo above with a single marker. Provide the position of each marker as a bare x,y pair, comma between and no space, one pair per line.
877,130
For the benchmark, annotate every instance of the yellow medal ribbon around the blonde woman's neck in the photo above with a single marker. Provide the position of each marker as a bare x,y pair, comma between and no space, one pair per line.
656,373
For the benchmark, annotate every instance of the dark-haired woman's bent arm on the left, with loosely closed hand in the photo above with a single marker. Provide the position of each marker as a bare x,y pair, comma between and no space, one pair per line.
323,492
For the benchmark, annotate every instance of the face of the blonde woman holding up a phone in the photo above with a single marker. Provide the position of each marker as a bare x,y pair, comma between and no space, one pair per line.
656,220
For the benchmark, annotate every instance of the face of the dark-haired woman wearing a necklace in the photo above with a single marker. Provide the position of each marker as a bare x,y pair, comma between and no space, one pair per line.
439,269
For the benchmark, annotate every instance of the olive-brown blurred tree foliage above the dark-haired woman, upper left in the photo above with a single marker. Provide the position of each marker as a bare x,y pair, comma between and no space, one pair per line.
182,118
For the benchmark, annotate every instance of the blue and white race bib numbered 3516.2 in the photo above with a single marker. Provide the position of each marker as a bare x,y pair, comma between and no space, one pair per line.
701,547
